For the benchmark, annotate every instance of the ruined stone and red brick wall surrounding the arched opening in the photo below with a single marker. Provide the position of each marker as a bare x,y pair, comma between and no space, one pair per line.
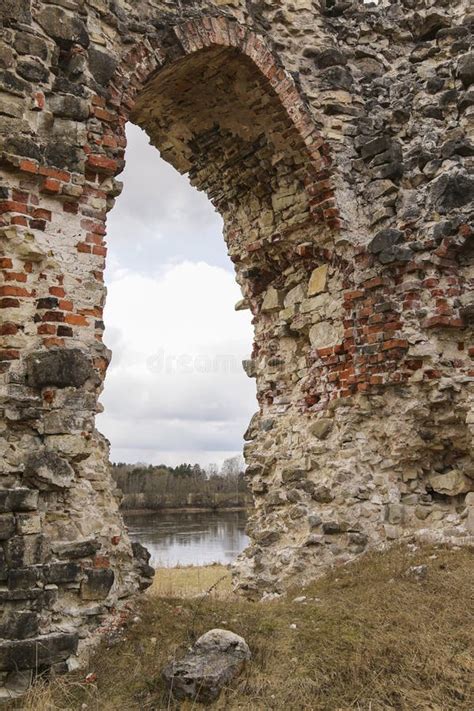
335,138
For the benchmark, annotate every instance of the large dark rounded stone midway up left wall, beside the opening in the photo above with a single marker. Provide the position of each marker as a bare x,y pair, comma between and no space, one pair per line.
60,368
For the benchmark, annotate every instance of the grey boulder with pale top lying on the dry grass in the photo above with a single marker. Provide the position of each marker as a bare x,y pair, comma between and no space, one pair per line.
213,662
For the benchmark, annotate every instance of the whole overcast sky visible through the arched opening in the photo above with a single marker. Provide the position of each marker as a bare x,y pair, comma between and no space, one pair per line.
175,390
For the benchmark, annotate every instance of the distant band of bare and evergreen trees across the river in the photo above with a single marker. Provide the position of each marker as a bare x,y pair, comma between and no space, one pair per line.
147,486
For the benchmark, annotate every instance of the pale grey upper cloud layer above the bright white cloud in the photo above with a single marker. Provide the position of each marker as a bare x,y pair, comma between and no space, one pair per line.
159,218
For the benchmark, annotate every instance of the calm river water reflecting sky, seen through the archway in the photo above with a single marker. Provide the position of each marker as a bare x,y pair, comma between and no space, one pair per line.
182,538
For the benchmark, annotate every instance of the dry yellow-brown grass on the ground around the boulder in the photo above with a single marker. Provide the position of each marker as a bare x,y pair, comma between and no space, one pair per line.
370,637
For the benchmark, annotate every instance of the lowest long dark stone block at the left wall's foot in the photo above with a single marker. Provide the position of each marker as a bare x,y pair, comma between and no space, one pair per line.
38,652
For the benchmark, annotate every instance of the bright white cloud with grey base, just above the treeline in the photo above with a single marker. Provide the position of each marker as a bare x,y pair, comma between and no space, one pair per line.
175,383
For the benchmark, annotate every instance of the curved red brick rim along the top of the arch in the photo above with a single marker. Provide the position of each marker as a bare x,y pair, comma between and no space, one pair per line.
153,54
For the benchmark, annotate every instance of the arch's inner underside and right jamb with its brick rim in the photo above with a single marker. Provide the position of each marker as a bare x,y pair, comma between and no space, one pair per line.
218,107
